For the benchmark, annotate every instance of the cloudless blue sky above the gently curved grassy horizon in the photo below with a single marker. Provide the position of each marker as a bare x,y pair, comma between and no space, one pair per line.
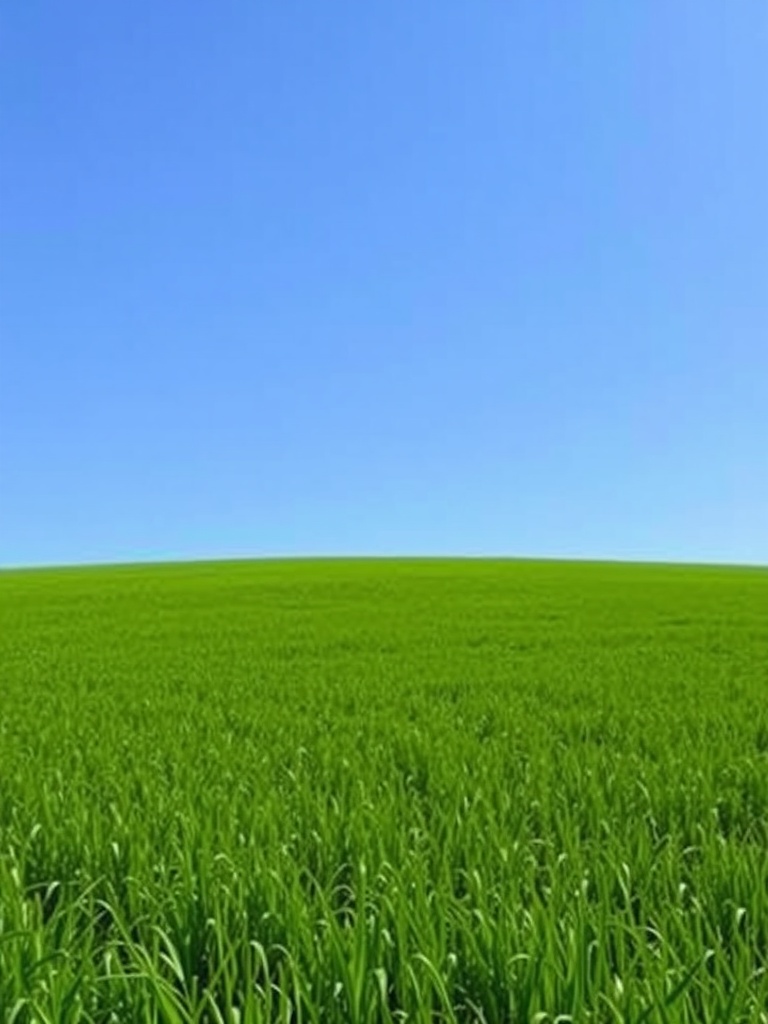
383,278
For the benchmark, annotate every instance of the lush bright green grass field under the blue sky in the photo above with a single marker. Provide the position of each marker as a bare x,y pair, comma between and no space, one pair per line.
385,791
